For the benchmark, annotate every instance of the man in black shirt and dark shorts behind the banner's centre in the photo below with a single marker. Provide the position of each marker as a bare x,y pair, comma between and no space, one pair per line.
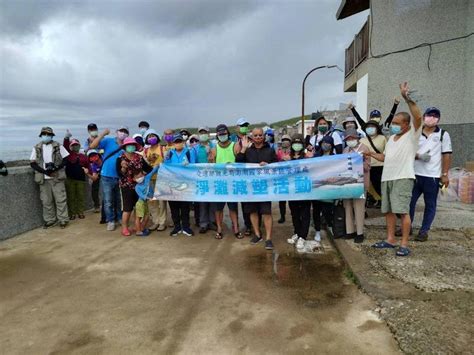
258,152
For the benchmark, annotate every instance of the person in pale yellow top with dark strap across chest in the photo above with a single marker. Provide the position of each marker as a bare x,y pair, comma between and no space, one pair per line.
375,141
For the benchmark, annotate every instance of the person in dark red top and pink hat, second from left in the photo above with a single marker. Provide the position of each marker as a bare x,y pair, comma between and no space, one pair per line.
77,167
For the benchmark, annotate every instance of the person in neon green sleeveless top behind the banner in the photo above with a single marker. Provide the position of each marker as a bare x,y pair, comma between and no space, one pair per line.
224,153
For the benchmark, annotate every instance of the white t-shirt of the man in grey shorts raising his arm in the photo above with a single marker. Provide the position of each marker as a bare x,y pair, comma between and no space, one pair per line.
400,156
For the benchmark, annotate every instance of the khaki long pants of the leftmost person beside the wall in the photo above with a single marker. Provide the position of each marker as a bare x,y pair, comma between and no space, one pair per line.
54,200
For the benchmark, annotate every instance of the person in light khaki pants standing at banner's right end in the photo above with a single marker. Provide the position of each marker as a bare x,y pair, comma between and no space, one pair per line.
355,208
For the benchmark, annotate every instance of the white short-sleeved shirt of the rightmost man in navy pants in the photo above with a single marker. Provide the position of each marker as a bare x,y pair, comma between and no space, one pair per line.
435,148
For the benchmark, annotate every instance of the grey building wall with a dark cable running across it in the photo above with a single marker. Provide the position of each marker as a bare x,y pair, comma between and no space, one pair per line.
449,85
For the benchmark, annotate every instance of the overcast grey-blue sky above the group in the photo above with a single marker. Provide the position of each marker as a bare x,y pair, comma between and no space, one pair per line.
174,63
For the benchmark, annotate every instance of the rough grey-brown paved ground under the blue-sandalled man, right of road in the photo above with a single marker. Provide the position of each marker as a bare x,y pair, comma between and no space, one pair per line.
427,299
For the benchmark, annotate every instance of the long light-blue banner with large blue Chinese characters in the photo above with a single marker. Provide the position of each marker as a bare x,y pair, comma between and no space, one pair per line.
324,178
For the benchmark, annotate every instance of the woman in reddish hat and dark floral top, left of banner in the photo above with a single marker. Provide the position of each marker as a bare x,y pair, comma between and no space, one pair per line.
129,164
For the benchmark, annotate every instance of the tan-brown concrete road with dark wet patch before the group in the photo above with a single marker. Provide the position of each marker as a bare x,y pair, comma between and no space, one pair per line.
85,290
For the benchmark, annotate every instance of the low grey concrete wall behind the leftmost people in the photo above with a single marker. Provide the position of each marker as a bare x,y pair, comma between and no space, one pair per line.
20,203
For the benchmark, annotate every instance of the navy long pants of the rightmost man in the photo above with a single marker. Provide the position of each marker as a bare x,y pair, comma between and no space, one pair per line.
429,187
